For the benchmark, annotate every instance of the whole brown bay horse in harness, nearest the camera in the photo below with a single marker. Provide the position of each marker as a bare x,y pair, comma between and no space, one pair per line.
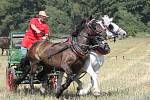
62,55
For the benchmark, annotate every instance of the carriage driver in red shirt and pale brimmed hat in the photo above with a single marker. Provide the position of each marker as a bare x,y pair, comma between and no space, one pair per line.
38,30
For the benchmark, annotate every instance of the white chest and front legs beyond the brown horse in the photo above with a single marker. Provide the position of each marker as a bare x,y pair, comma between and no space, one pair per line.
91,66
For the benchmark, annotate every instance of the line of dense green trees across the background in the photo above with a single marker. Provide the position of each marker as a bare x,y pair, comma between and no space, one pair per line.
132,15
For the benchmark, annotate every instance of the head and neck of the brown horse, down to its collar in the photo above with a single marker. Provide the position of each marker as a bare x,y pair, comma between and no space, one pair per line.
87,29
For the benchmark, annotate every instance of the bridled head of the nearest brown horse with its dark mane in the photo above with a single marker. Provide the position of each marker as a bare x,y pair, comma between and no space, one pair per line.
89,28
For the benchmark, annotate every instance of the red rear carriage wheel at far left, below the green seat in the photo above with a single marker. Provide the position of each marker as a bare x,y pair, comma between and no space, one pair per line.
10,76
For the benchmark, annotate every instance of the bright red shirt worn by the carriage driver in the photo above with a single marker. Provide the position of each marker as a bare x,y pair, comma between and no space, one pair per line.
31,36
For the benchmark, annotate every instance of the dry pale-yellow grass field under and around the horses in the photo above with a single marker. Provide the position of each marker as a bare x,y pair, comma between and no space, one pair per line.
125,75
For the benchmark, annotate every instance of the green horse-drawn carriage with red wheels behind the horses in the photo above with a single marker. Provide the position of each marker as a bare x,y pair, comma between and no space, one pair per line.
14,71
